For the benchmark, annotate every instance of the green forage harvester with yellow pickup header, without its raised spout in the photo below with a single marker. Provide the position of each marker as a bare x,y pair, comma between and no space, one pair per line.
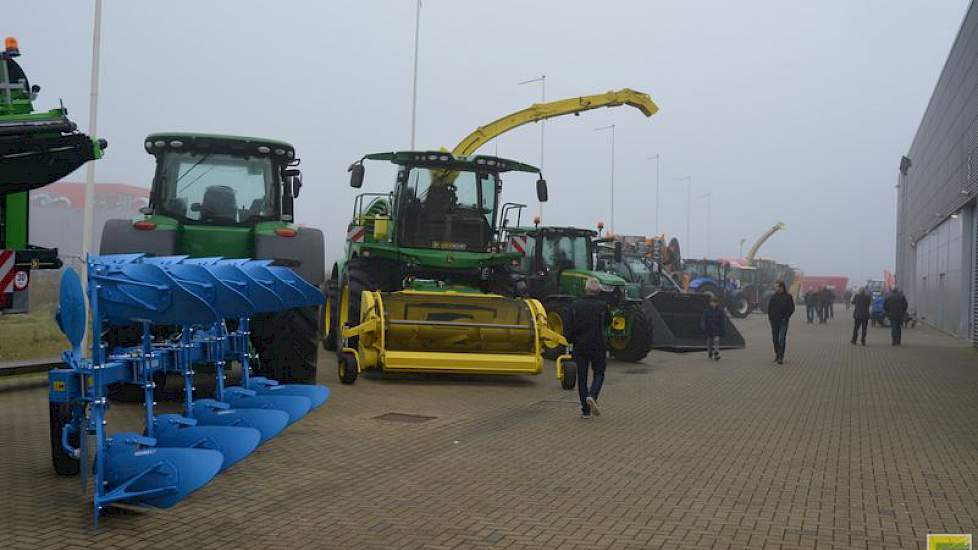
424,287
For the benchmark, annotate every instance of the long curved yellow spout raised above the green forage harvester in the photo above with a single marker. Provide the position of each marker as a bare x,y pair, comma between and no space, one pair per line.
542,111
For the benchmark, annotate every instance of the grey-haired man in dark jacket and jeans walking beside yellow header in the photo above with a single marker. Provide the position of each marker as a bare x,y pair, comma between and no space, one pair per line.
586,332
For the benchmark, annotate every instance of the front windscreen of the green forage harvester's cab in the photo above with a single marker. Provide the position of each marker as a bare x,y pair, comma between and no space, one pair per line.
447,209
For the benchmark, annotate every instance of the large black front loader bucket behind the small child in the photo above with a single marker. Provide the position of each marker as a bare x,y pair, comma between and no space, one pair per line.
676,325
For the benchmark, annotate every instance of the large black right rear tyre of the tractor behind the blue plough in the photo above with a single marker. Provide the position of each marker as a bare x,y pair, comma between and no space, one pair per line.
286,344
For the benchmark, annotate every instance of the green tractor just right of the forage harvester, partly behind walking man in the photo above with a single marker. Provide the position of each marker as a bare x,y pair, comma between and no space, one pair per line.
557,262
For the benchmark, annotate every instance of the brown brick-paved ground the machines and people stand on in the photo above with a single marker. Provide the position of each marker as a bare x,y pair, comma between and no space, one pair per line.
842,447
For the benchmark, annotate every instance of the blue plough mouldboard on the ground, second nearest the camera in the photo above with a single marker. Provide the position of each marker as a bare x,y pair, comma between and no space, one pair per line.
233,442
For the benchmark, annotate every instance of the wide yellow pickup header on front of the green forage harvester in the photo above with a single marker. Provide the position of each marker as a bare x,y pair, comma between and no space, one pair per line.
450,332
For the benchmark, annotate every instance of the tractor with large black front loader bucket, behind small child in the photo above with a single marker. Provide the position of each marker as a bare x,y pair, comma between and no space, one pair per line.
647,264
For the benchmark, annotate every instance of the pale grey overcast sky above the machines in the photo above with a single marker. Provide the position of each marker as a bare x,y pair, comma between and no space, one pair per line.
792,111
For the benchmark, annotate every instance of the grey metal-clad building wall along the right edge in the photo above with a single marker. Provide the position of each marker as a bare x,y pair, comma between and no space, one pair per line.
942,181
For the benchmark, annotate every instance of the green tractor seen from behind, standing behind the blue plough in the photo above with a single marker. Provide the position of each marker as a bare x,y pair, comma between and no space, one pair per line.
233,197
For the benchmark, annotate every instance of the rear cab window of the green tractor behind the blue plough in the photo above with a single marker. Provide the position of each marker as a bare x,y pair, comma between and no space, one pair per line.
216,188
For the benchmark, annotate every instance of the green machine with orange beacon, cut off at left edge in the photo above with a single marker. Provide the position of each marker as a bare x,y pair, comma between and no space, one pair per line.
37,148
